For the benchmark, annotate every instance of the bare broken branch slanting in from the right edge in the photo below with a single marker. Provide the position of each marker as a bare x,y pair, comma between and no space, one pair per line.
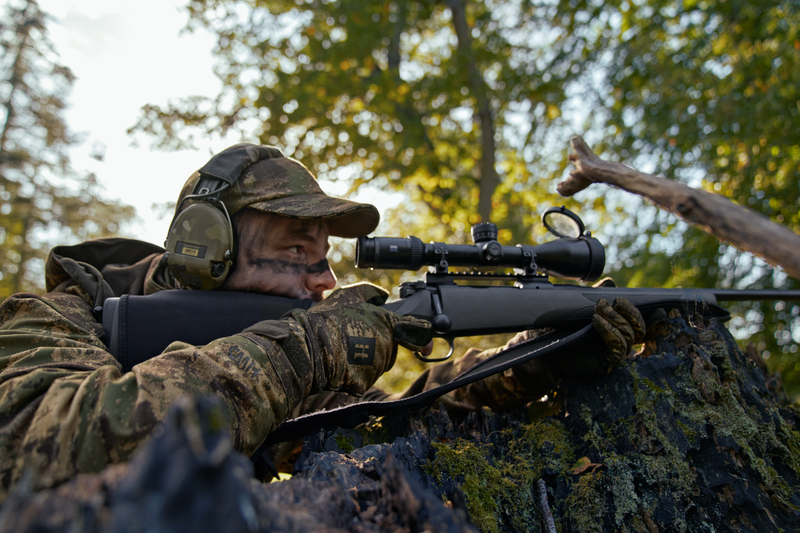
742,227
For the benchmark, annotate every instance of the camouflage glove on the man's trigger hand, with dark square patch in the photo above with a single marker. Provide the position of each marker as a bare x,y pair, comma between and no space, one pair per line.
354,341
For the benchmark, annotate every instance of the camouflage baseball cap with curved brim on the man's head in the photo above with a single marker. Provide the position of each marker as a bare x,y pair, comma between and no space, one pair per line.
284,186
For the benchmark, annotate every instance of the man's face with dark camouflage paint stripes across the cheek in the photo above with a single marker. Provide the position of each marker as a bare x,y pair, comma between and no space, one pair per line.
281,256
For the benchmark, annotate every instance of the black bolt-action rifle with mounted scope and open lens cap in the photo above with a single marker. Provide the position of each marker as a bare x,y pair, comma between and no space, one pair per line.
140,327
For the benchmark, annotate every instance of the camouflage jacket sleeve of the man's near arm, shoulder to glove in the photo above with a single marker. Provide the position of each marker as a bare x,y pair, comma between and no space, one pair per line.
66,407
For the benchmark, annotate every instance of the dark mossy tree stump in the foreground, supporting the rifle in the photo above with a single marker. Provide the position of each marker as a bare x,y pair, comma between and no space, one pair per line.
685,436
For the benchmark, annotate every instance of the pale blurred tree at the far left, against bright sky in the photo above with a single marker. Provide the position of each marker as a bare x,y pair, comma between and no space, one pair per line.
42,200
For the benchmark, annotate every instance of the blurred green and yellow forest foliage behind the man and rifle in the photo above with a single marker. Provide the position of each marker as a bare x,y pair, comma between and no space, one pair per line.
464,108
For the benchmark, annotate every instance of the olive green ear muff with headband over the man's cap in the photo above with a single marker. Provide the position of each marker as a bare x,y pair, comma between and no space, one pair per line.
200,244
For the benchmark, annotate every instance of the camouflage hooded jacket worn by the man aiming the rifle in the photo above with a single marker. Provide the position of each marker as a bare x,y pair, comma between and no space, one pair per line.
67,408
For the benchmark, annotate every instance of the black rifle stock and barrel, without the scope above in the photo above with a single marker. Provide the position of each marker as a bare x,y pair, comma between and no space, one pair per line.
138,328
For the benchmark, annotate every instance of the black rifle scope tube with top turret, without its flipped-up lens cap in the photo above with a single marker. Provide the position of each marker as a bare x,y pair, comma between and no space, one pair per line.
581,258
